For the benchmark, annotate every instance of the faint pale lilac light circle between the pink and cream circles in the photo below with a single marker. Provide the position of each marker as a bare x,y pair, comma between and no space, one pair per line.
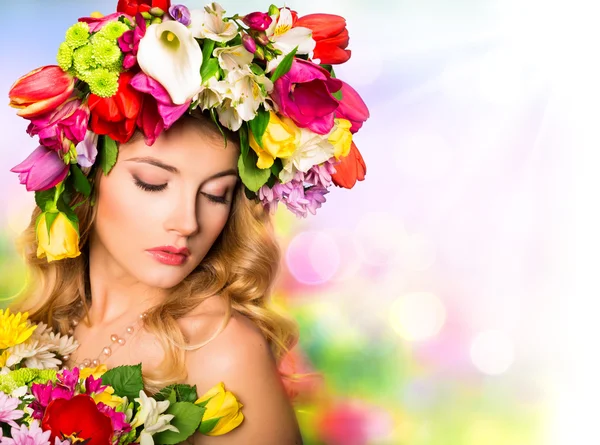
379,238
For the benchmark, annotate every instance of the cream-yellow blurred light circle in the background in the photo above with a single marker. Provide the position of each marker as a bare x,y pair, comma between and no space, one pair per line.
417,315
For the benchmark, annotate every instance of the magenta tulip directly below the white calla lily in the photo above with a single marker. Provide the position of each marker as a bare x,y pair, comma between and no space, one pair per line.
158,112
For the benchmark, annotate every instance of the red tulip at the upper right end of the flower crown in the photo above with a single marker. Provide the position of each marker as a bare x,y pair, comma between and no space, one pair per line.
331,35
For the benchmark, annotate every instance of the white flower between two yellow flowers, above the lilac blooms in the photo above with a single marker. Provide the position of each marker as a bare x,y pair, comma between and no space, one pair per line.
312,149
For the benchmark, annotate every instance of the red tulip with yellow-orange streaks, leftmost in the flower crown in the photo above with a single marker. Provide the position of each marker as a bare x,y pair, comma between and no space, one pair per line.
40,91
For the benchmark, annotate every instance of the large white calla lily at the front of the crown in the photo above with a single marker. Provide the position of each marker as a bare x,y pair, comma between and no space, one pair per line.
170,55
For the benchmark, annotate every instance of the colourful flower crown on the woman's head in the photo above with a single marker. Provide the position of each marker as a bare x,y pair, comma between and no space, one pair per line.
267,76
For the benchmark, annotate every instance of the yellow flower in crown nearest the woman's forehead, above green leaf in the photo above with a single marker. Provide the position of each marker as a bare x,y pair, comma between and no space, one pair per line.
279,141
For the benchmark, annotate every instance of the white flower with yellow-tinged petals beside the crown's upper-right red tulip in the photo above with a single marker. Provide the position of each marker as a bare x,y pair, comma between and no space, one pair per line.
285,38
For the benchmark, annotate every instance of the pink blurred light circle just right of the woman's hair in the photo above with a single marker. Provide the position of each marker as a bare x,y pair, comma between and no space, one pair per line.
312,257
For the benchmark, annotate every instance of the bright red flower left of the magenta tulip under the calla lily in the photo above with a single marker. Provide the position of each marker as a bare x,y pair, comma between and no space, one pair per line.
116,116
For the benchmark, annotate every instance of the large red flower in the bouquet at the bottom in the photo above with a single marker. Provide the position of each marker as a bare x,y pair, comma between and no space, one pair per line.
79,418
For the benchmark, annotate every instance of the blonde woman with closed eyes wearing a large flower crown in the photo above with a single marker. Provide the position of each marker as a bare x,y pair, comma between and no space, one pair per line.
152,241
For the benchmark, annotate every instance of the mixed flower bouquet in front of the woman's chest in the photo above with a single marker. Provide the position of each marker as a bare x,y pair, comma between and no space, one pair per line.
42,405
